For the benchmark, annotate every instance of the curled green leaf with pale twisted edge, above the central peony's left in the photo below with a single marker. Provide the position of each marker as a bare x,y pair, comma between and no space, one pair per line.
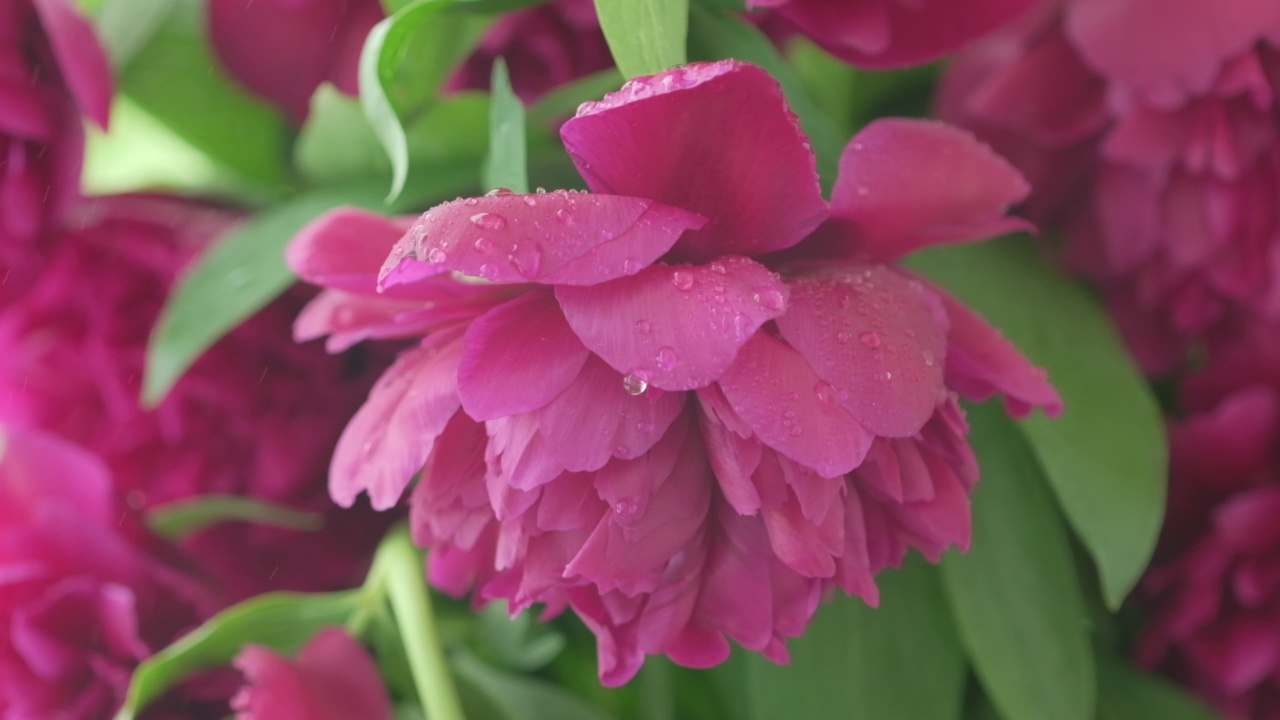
405,61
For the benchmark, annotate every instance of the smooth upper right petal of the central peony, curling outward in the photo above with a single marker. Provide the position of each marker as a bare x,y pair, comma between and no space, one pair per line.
907,185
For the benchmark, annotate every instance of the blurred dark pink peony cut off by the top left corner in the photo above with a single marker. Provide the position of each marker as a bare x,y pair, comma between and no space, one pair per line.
52,72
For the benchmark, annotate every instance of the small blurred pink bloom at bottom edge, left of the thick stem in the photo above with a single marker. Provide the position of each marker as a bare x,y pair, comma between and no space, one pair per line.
333,678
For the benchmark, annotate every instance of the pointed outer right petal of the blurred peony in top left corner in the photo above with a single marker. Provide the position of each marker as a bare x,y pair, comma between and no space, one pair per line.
81,60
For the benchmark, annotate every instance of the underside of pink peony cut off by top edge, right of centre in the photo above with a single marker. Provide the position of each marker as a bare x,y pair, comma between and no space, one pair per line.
893,34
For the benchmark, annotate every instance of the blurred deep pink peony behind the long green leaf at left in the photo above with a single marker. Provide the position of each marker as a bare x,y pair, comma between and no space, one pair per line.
246,420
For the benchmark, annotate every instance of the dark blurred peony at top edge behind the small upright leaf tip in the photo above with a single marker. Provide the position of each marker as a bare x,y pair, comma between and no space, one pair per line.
546,47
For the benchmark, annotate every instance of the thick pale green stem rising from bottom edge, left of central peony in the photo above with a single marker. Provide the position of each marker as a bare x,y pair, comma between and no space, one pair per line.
412,607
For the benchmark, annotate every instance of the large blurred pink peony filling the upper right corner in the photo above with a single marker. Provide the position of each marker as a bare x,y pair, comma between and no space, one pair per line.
1150,134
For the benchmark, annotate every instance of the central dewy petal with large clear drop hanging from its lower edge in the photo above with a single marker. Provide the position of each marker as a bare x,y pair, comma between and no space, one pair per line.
675,327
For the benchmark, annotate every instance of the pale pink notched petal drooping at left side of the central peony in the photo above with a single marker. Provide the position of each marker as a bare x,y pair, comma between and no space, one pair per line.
394,434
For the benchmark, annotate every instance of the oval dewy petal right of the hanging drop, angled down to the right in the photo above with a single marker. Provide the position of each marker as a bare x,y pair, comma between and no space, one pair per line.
793,411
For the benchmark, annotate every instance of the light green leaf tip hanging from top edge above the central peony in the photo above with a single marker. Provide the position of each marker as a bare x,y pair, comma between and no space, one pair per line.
644,37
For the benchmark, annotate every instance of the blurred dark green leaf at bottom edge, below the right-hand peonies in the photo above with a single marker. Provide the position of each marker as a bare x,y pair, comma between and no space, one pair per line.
1128,694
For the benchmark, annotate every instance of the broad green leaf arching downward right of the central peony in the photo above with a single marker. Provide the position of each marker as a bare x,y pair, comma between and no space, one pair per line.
1107,455
